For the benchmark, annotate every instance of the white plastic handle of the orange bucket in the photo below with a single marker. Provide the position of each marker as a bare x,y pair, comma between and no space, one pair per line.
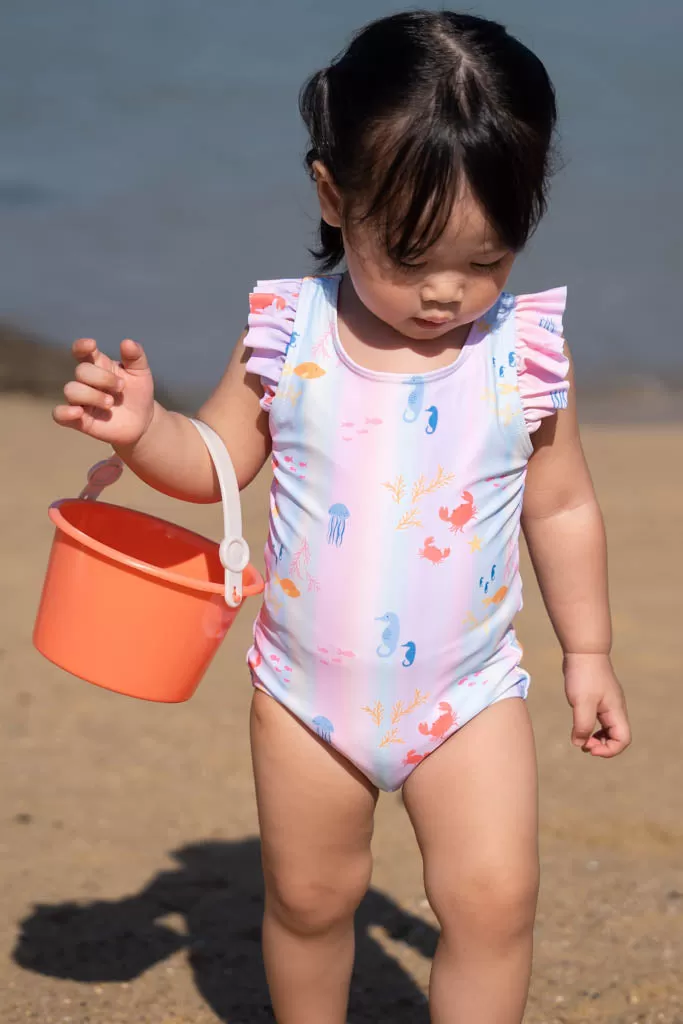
234,550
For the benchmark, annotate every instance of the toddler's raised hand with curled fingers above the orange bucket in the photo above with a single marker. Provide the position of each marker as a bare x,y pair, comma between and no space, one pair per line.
111,402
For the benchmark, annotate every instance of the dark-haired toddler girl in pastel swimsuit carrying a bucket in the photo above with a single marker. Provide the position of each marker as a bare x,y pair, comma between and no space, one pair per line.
415,415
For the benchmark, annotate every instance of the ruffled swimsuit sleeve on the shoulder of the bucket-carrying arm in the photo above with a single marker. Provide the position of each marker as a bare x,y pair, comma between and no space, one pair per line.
273,308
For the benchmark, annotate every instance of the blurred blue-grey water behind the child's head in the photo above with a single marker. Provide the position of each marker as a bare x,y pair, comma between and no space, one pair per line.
151,170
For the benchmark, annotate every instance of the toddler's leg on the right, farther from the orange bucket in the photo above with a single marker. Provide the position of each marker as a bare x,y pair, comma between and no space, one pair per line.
474,805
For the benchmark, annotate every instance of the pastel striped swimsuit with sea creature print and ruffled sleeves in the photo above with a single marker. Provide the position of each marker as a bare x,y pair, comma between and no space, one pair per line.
393,568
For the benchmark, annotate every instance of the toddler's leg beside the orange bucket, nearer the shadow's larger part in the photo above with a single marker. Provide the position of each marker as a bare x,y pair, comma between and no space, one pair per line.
316,813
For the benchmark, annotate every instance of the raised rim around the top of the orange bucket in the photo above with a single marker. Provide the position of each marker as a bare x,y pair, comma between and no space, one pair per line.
62,524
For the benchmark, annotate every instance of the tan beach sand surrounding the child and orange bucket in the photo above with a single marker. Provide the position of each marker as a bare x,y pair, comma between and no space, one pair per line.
131,880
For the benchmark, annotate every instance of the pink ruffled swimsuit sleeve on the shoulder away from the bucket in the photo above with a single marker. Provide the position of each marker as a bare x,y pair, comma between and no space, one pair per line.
542,365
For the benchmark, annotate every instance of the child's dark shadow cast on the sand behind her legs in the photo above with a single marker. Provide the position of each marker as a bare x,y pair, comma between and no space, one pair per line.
219,892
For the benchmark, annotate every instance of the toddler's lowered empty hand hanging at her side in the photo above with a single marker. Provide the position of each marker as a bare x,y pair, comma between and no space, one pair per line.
594,693
